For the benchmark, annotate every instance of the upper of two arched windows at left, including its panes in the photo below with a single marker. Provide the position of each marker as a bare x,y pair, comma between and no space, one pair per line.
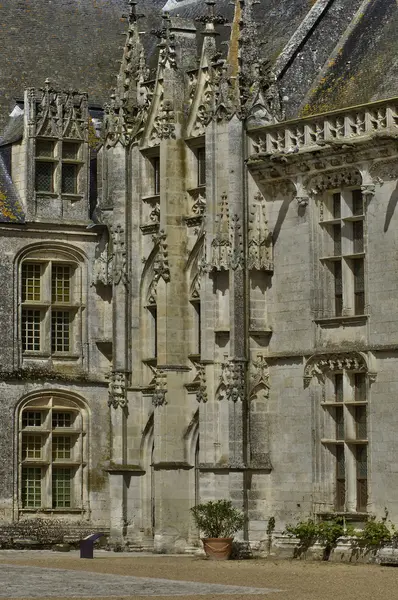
51,303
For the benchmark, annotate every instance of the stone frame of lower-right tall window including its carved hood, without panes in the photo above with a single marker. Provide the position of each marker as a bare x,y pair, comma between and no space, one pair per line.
323,368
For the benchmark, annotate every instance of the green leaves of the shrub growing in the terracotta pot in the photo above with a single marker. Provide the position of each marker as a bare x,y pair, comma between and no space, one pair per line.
218,518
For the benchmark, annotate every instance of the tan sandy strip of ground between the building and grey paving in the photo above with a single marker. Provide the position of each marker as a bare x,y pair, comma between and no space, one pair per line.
299,580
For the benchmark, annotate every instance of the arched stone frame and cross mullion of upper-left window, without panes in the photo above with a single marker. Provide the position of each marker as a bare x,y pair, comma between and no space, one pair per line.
46,256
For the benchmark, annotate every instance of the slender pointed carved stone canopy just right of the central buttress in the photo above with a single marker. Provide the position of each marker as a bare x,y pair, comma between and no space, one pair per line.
260,238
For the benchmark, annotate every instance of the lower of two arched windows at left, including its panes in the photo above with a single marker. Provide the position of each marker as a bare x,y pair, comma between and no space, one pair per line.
52,448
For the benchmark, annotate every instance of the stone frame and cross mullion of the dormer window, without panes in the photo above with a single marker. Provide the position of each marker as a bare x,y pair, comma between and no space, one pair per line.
57,159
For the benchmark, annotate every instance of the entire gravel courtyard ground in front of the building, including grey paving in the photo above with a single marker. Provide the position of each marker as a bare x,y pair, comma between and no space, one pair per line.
60,576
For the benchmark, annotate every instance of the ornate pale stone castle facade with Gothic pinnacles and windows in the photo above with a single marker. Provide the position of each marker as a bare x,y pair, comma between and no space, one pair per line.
198,293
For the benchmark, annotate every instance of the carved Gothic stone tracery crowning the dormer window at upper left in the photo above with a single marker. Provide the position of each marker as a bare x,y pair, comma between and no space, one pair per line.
58,114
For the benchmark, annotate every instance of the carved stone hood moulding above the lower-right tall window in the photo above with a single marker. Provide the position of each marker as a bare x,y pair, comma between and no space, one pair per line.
319,365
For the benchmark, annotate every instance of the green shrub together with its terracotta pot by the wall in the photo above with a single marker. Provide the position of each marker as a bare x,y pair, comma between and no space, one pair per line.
218,520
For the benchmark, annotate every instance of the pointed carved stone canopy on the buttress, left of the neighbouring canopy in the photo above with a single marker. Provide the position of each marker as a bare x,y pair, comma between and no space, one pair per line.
227,246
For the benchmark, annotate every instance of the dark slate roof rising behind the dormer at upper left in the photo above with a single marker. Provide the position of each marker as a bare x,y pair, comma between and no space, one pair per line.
74,42
